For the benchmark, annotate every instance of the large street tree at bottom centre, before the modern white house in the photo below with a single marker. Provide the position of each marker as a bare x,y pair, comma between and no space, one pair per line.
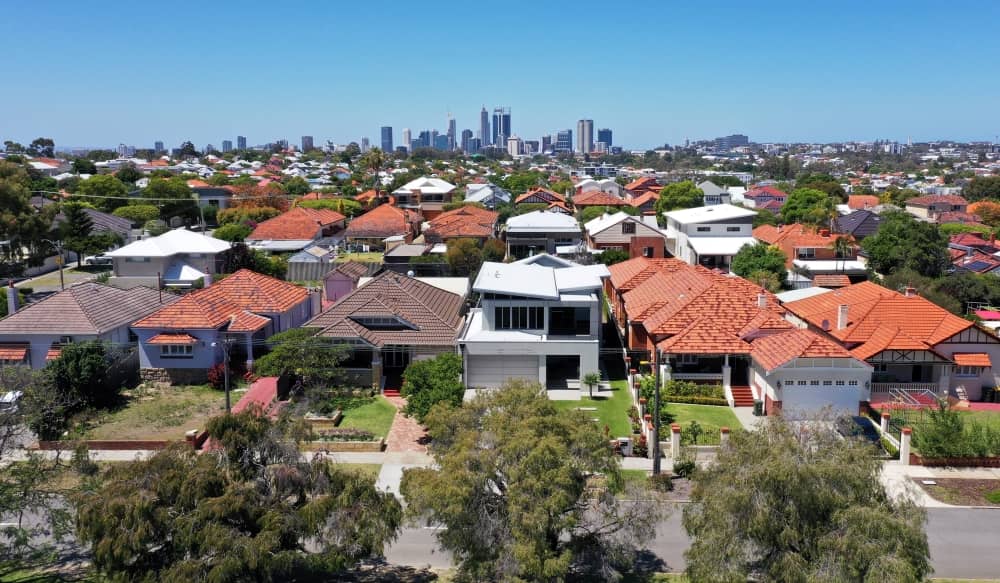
514,486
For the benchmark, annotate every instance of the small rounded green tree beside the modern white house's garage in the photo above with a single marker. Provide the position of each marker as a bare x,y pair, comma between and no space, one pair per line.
432,381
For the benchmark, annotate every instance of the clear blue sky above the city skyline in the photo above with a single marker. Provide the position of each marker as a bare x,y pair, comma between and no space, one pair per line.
96,74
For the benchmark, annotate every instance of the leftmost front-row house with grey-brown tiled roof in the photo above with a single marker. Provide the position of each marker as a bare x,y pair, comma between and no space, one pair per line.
34,334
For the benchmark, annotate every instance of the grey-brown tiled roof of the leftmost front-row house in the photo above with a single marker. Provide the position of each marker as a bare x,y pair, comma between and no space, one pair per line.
87,309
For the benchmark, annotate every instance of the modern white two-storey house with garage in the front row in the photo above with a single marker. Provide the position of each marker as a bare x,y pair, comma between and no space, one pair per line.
538,319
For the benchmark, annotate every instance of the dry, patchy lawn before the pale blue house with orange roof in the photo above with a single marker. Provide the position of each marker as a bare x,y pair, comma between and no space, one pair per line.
154,414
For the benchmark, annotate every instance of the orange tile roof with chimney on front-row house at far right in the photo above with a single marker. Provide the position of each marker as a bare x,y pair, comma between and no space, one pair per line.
879,318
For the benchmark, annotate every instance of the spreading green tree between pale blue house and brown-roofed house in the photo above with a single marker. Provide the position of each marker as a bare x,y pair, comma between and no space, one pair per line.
300,352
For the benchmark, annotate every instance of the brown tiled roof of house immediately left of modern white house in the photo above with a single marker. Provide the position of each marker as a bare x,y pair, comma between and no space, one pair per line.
435,315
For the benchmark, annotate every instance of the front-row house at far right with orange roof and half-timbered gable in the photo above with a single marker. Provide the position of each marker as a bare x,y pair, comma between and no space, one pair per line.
918,350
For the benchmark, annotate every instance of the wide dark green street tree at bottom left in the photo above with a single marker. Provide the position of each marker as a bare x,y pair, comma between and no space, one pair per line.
250,510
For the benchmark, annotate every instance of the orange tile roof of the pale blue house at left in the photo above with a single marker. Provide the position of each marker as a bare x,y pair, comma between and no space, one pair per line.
218,304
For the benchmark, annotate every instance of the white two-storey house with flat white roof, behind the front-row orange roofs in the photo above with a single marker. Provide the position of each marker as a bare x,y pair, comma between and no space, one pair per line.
710,235
